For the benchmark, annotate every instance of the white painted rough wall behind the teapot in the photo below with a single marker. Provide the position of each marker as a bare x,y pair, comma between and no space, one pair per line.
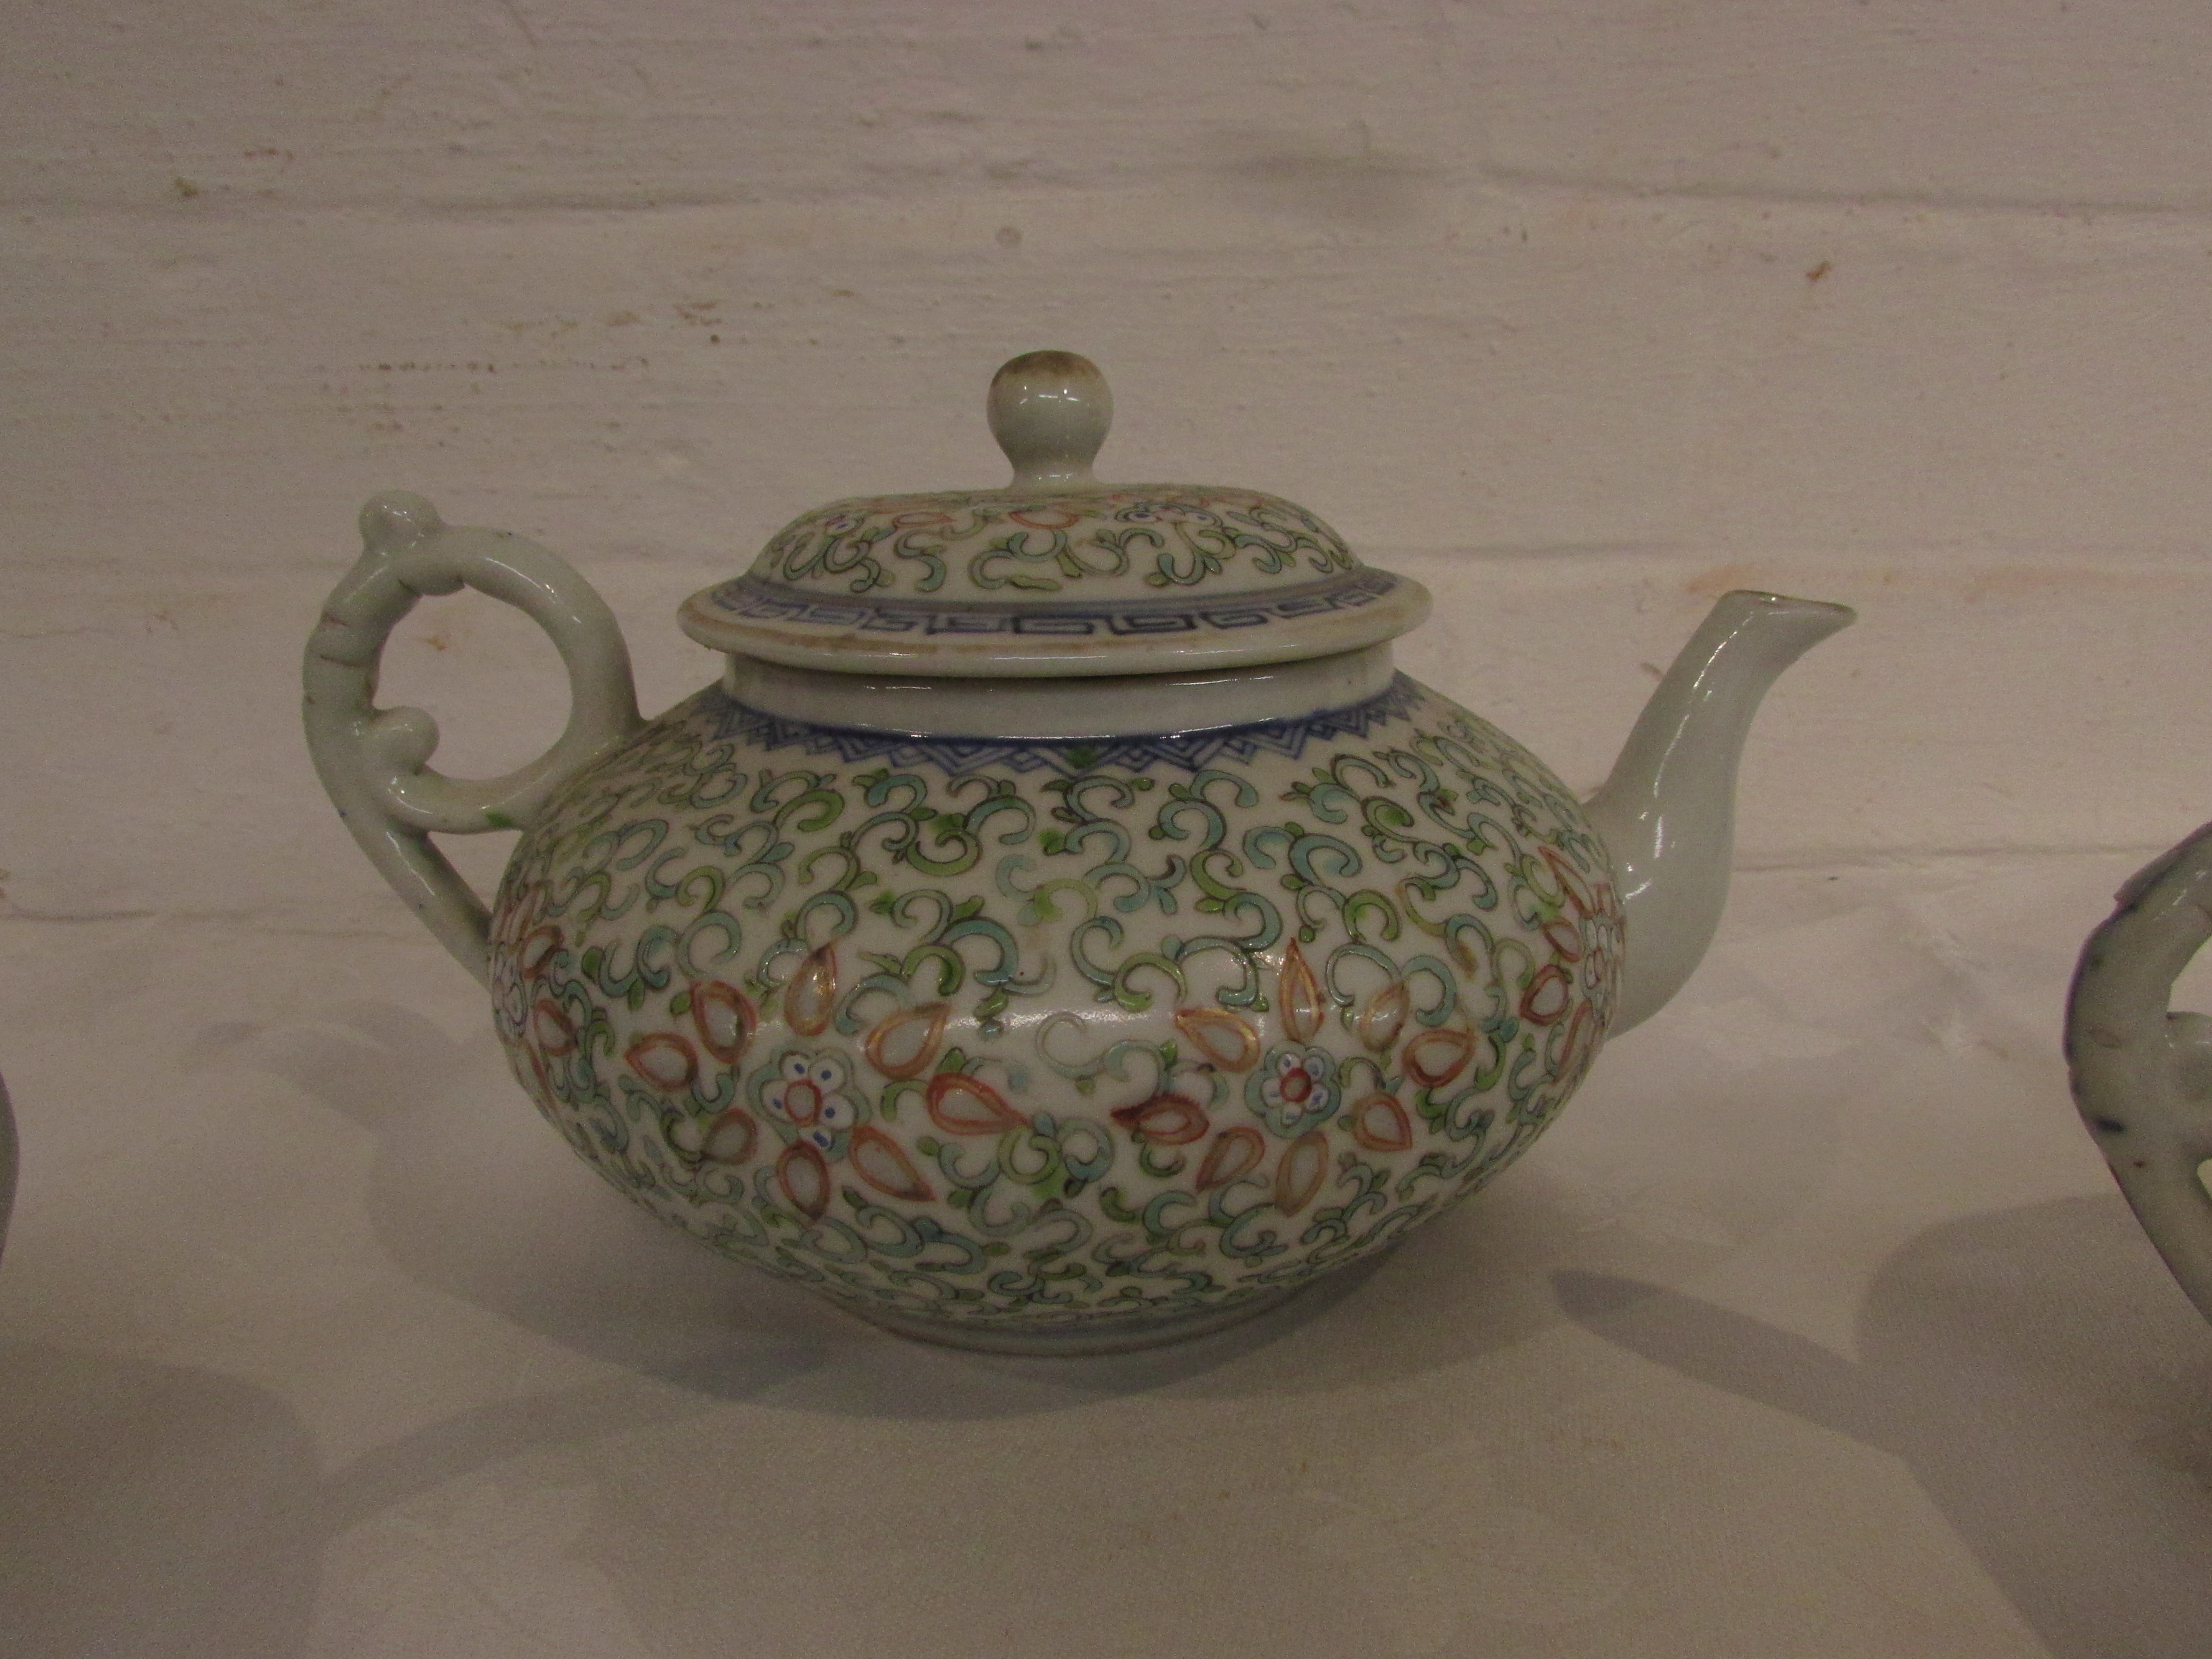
1583,311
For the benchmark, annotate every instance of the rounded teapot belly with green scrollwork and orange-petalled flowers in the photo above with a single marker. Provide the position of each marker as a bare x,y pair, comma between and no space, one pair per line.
1056,1045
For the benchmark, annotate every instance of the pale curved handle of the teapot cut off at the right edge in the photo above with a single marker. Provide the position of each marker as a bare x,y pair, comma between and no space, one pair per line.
2142,1076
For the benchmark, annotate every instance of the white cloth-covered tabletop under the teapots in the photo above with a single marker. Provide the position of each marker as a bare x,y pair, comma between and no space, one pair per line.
1815,1328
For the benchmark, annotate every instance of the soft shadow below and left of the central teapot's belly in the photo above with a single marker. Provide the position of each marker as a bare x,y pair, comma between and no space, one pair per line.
472,1196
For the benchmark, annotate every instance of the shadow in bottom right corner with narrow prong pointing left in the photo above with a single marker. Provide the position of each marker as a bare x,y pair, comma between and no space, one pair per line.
2041,1377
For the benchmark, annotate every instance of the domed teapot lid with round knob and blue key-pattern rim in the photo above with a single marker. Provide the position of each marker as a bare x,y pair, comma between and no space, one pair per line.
1054,574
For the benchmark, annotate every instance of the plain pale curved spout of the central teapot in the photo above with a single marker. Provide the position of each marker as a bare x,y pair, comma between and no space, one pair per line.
1669,811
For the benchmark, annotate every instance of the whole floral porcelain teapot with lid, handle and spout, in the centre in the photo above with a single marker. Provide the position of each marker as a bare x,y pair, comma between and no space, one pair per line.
1058,930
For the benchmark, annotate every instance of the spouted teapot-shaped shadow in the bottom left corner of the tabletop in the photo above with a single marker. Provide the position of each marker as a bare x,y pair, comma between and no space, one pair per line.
160,1512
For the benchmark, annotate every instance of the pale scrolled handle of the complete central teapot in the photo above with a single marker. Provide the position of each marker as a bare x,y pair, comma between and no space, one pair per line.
375,760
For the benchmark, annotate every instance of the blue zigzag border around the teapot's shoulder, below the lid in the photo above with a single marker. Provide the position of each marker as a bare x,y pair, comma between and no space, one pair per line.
1072,758
